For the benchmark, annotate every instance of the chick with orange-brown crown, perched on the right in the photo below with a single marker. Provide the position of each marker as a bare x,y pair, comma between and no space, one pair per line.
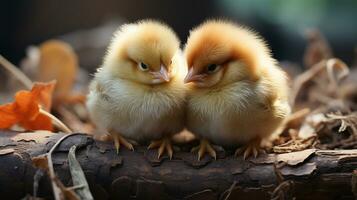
238,94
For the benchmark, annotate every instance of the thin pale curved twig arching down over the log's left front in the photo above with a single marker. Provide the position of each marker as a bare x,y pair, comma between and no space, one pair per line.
56,189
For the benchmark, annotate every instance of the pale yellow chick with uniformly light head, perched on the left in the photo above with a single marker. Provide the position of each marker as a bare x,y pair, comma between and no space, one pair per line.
138,93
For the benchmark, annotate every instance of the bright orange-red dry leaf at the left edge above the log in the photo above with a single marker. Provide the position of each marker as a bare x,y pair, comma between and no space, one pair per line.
25,110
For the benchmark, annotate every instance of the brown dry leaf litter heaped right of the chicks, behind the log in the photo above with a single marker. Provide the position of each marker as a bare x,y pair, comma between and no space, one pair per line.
324,103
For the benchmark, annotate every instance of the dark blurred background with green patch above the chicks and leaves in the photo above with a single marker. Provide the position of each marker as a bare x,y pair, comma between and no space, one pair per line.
87,24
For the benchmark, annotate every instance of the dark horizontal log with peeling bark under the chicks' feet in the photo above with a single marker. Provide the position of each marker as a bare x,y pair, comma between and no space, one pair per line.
308,174
